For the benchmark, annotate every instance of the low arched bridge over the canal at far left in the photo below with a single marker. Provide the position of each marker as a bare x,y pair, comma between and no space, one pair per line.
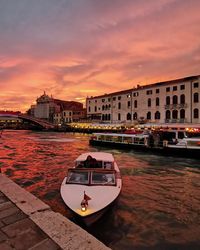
42,123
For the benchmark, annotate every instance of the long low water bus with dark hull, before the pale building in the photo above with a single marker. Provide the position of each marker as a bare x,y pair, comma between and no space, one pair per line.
170,142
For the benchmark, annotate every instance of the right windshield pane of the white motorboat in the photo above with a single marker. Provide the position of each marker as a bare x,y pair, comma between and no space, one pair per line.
102,178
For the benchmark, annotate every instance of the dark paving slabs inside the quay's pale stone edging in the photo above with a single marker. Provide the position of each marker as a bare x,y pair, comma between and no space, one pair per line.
18,231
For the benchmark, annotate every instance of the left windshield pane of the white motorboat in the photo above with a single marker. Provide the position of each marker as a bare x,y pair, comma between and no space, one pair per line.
80,177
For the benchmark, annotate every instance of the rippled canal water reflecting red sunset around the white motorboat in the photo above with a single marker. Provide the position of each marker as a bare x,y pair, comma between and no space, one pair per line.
159,206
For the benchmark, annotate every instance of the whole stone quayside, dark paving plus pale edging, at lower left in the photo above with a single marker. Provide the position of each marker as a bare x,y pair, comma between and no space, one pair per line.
28,223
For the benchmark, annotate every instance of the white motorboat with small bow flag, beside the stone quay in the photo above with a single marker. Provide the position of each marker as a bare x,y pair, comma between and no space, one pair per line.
92,185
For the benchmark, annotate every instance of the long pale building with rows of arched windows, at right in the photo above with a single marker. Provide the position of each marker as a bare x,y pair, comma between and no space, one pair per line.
175,101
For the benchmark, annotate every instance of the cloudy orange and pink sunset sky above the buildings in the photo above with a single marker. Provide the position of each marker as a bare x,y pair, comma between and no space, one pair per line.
77,48
